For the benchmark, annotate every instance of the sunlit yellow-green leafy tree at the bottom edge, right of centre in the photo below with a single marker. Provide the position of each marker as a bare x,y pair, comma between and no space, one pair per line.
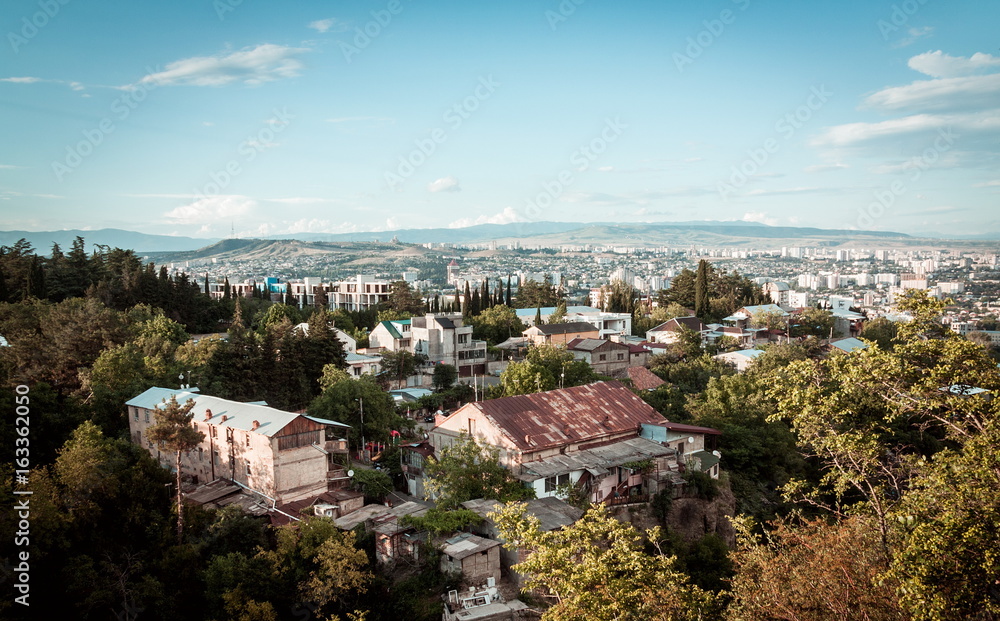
597,569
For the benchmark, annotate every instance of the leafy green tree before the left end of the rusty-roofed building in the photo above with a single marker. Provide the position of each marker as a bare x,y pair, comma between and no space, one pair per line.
467,470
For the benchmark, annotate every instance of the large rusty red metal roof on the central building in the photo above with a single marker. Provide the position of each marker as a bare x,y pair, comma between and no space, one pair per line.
568,416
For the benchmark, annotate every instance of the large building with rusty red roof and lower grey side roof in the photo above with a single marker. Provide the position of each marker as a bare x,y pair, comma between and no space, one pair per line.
584,436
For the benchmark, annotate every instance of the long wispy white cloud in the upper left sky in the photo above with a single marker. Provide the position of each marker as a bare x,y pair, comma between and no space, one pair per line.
251,66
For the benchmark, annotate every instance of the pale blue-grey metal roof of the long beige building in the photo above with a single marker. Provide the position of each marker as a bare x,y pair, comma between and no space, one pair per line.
238,415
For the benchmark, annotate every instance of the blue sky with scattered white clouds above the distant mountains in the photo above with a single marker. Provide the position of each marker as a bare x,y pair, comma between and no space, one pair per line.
197,118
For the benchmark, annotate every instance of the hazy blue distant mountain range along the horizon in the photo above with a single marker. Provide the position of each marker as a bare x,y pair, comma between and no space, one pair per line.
729,233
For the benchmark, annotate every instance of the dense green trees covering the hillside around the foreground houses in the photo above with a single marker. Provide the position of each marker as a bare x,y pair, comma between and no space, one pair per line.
866,484
